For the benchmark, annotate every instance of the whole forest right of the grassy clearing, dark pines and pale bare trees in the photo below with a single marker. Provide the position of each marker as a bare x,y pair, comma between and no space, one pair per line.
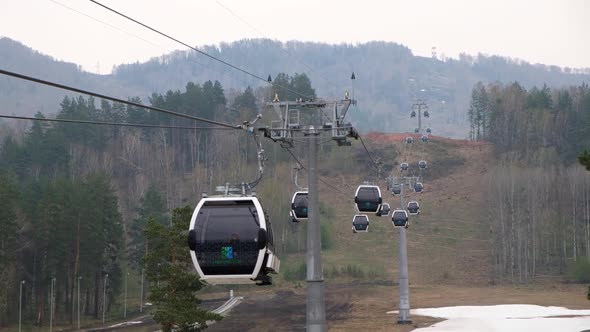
539,197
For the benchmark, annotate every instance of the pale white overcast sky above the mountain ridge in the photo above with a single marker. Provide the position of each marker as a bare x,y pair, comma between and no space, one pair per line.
555,32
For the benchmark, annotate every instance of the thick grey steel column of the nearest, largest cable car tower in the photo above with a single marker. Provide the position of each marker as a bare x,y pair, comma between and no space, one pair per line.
316,310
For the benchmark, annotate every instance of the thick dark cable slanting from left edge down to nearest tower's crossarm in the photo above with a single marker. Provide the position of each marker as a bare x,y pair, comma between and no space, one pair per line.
122,101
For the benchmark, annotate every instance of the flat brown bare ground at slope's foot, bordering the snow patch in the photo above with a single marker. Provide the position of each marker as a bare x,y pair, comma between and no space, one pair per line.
364,308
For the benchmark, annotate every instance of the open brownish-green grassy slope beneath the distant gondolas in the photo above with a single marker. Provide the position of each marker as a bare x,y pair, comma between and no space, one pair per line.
447,242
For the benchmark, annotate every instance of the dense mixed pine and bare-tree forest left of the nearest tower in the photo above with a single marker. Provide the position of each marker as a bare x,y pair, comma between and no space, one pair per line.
75,198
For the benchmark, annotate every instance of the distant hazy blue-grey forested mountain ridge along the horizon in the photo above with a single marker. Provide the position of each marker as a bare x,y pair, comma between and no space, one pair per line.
382,83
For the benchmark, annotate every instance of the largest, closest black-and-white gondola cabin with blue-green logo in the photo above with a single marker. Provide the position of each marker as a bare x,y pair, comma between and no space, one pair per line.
231,241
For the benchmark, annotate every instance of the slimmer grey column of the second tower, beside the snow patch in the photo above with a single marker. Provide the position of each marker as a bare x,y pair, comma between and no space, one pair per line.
404,288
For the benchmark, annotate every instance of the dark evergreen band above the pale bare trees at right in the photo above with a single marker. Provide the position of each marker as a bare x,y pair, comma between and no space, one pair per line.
537,125
